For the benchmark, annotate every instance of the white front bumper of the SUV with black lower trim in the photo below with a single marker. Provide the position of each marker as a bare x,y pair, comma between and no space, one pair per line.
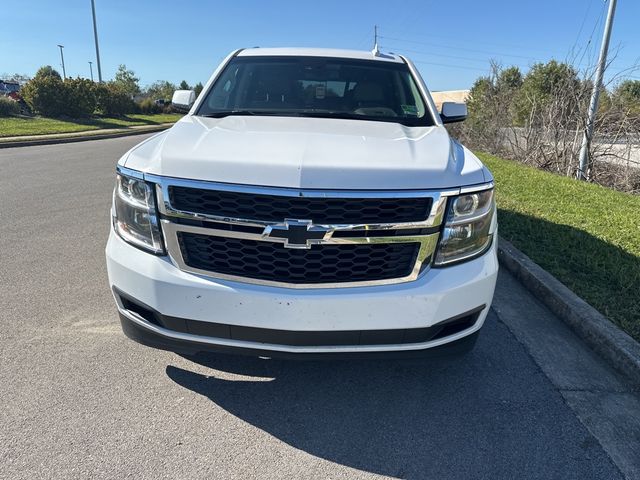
270,321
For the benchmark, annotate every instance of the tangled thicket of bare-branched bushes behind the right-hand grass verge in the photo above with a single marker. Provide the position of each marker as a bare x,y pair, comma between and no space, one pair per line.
540,119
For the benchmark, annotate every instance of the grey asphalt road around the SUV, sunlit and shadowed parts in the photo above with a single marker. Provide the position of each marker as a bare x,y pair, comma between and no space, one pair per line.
78,400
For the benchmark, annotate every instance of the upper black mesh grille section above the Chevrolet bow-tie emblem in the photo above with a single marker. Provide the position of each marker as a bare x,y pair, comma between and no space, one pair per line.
322,210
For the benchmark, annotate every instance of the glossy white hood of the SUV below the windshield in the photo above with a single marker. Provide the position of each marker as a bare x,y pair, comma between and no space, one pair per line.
299,152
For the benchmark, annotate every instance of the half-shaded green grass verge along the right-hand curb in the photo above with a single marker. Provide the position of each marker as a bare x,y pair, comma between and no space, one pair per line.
587,236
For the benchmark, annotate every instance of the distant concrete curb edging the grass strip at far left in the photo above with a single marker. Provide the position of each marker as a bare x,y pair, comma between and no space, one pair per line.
28,140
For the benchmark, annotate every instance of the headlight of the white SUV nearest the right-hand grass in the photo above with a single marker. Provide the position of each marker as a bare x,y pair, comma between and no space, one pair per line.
466,232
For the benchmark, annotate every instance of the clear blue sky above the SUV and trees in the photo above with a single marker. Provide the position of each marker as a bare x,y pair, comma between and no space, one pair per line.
451,41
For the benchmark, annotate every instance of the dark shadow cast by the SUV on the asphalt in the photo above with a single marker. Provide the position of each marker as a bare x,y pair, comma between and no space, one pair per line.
491,413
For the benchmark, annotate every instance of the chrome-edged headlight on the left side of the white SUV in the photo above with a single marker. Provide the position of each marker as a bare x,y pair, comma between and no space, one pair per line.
134,214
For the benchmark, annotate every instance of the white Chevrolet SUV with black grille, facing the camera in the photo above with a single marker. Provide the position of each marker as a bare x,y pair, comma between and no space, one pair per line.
310,202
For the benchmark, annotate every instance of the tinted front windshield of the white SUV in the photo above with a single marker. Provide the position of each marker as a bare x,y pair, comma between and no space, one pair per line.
317,87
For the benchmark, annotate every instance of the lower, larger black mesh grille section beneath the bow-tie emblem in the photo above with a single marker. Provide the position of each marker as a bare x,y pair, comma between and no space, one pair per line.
327,263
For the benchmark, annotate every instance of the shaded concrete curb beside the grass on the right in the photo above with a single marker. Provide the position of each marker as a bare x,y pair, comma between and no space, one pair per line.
617,348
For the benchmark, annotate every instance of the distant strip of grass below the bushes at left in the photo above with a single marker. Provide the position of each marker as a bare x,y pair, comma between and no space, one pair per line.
18,126
